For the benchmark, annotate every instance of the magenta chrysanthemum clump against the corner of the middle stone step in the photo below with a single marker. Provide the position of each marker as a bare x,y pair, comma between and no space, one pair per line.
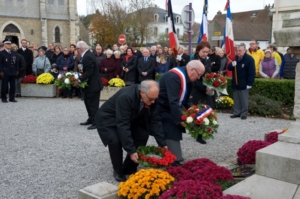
246,154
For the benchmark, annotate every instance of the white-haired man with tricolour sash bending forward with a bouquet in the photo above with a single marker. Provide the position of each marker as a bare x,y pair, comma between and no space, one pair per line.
173,96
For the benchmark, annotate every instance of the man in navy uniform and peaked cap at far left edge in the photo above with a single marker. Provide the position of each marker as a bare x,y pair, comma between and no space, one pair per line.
8,71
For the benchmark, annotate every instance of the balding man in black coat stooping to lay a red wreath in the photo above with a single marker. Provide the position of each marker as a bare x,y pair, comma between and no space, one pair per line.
123,121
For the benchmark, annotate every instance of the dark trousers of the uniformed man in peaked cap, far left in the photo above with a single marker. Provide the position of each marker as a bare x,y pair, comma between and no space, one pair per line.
12,87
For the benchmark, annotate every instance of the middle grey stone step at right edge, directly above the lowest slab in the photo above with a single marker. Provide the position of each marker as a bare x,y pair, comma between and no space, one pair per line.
280,161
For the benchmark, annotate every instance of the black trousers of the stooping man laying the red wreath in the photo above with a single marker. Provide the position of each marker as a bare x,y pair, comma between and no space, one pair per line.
140,137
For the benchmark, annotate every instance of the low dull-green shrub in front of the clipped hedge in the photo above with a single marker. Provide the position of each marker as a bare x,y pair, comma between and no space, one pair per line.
263,106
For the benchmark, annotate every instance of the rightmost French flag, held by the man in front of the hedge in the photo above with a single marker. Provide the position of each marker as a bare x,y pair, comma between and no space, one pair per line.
228,40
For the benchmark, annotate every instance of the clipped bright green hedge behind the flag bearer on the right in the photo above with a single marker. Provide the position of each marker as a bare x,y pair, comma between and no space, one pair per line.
278,90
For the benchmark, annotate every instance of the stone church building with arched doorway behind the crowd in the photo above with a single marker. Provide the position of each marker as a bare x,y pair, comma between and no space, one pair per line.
39,21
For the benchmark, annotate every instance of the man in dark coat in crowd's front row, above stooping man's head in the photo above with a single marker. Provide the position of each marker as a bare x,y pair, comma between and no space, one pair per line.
146,66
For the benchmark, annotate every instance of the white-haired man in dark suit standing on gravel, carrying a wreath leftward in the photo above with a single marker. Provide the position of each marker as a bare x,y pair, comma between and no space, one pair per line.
90,72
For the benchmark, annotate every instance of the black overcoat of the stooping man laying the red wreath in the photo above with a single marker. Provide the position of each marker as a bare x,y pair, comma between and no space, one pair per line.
120,112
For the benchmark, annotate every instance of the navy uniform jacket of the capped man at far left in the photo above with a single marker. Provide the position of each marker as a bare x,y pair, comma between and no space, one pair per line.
8,63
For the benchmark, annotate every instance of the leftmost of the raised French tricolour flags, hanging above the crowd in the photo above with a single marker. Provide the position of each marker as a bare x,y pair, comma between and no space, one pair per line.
173,40
